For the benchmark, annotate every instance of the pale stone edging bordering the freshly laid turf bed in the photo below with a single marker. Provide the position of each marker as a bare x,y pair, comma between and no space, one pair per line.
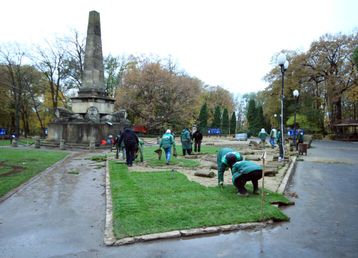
110,240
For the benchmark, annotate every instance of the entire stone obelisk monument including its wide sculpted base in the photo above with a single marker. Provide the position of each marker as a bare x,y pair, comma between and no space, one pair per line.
91,119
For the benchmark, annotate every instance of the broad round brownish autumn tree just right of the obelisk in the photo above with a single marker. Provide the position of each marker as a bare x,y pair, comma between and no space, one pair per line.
159,98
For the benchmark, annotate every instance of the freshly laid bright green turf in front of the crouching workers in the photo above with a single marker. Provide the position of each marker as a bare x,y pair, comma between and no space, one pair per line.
145,203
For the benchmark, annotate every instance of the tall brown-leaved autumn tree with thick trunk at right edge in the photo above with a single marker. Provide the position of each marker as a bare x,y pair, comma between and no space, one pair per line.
330,59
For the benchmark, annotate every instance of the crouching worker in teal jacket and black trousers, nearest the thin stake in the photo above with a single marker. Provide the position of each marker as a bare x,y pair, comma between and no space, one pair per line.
244,171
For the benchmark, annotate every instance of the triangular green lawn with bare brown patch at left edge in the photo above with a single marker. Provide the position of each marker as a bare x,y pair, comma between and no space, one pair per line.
19,165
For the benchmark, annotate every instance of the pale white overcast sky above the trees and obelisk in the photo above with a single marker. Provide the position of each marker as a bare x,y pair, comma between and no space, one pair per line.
224,42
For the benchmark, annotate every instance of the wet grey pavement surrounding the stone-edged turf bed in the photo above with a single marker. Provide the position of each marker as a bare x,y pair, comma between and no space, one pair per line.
56,218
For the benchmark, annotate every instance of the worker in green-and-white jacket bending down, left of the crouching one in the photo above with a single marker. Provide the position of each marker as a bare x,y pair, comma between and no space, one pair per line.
226,158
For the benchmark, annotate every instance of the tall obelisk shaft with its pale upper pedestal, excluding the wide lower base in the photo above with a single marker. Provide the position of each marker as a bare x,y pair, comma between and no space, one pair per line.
92,93
